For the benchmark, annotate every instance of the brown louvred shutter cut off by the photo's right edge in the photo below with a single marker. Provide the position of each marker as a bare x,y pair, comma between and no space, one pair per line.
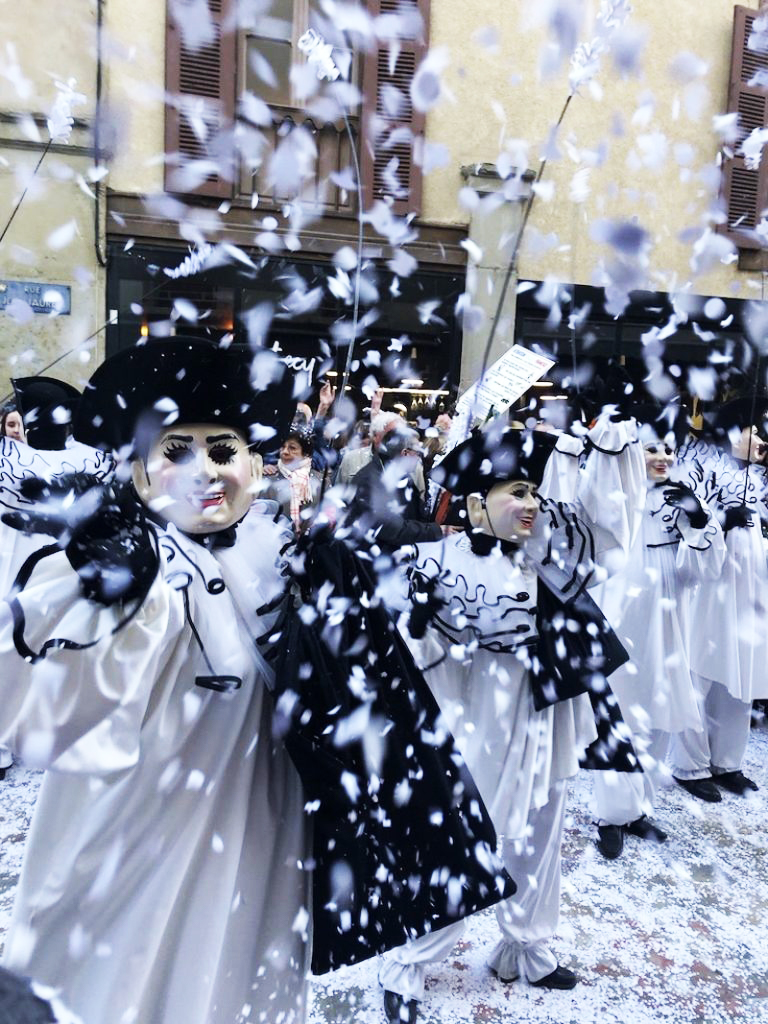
746,191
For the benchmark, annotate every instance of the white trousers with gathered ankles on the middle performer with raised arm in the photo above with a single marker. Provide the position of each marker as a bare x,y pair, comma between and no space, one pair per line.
527,921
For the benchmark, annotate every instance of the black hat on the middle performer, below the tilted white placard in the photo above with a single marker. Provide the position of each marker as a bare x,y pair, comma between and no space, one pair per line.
488,458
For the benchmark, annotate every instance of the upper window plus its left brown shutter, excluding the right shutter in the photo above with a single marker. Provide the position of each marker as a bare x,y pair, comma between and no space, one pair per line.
234,101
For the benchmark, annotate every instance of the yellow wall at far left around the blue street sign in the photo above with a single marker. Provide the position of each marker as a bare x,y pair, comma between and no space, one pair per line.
53,238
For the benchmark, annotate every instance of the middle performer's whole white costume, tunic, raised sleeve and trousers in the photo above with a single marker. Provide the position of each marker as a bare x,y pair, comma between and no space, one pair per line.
475,659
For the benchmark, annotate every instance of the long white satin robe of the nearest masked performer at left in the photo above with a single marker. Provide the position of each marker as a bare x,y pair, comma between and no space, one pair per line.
163,878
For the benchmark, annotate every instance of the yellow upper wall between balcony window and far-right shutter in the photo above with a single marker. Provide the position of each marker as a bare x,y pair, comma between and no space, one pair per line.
495,95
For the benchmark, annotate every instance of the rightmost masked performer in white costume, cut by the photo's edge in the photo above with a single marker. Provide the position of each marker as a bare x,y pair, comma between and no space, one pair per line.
730,641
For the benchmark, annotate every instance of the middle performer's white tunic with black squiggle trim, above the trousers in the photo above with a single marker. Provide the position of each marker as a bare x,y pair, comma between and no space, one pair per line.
516,753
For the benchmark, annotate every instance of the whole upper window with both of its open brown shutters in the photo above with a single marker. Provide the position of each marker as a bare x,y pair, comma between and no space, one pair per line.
222,146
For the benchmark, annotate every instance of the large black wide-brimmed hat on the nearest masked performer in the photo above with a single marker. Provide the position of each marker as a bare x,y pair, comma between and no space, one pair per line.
151,387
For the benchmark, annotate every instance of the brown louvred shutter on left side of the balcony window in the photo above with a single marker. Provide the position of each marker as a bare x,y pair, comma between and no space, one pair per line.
203,82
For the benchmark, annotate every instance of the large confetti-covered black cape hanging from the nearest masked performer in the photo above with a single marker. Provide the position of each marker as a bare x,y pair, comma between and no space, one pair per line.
403,843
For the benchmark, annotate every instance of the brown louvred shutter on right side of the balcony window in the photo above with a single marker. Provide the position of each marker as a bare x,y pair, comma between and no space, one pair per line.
387,136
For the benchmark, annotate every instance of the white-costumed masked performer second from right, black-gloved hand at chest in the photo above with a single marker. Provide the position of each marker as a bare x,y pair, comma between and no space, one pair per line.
680,544
